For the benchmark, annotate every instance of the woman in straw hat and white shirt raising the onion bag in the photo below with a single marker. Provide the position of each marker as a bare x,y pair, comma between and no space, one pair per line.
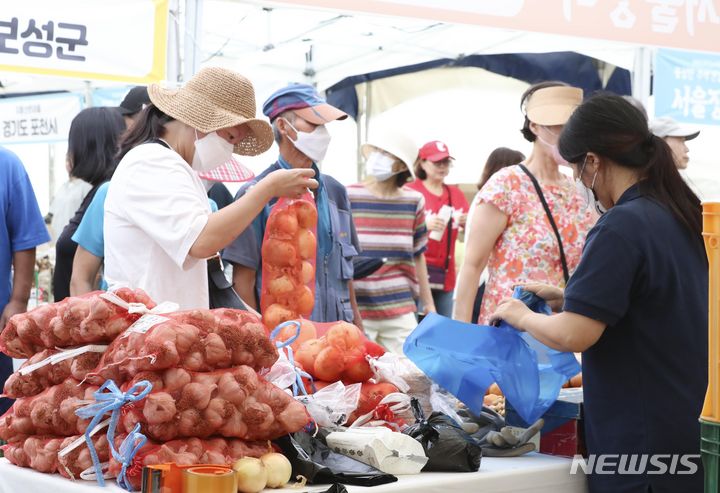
158,225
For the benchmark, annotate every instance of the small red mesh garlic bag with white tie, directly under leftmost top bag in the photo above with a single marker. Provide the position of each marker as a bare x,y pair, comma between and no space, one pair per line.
27,385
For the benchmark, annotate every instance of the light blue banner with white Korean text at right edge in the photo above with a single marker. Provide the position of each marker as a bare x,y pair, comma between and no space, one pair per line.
687,86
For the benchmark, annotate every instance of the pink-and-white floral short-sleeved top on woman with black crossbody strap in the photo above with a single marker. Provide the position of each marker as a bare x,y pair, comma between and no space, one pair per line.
527,250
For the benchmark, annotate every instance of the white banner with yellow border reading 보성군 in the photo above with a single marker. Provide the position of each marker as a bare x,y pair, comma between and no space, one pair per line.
123,40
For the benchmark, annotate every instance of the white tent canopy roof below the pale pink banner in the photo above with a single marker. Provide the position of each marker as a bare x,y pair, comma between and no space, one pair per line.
275,45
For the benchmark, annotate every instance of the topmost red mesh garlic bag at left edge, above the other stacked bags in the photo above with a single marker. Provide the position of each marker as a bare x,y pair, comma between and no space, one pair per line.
74,321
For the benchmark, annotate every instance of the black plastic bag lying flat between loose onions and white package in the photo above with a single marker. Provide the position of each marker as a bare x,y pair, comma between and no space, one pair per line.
310,457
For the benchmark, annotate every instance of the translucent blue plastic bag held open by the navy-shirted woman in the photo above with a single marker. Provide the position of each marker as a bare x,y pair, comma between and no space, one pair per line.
466,359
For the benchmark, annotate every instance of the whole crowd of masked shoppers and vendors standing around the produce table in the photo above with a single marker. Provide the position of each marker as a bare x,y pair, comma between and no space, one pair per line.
597,220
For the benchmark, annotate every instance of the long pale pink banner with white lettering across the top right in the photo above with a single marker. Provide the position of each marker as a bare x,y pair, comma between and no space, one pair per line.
683,24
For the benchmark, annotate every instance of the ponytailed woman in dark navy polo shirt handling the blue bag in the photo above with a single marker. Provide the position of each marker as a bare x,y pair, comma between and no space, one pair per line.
636,306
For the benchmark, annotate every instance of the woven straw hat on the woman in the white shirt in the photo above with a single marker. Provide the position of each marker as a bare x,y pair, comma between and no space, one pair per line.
213,99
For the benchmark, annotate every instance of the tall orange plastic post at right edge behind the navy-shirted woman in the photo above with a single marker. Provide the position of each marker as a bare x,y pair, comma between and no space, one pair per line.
711,234
